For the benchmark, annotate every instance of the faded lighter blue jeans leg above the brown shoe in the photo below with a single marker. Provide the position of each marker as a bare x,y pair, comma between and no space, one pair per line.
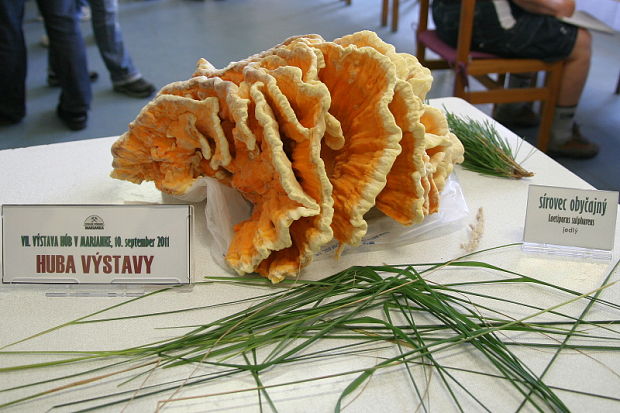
109,38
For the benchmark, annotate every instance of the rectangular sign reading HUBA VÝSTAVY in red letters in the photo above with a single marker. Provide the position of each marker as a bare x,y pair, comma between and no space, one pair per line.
96,244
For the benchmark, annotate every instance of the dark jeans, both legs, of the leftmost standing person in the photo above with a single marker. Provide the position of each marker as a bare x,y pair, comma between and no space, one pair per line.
66,44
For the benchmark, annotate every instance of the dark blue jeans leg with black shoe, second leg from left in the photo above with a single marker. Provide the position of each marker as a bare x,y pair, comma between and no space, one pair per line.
68,59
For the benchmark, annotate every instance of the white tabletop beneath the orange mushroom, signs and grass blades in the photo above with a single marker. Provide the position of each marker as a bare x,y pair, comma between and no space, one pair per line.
77,172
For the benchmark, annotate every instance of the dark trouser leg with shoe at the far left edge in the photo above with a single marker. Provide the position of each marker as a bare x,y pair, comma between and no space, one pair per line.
14,62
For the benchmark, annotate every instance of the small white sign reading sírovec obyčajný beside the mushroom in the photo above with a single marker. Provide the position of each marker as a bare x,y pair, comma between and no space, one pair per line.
571,217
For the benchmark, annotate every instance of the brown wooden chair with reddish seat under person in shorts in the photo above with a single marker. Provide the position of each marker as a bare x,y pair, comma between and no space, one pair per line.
488,69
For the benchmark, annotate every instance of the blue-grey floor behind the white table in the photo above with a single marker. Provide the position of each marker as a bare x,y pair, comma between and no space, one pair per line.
166,37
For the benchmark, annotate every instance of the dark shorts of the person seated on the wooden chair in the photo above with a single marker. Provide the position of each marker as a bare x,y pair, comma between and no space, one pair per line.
533,36
